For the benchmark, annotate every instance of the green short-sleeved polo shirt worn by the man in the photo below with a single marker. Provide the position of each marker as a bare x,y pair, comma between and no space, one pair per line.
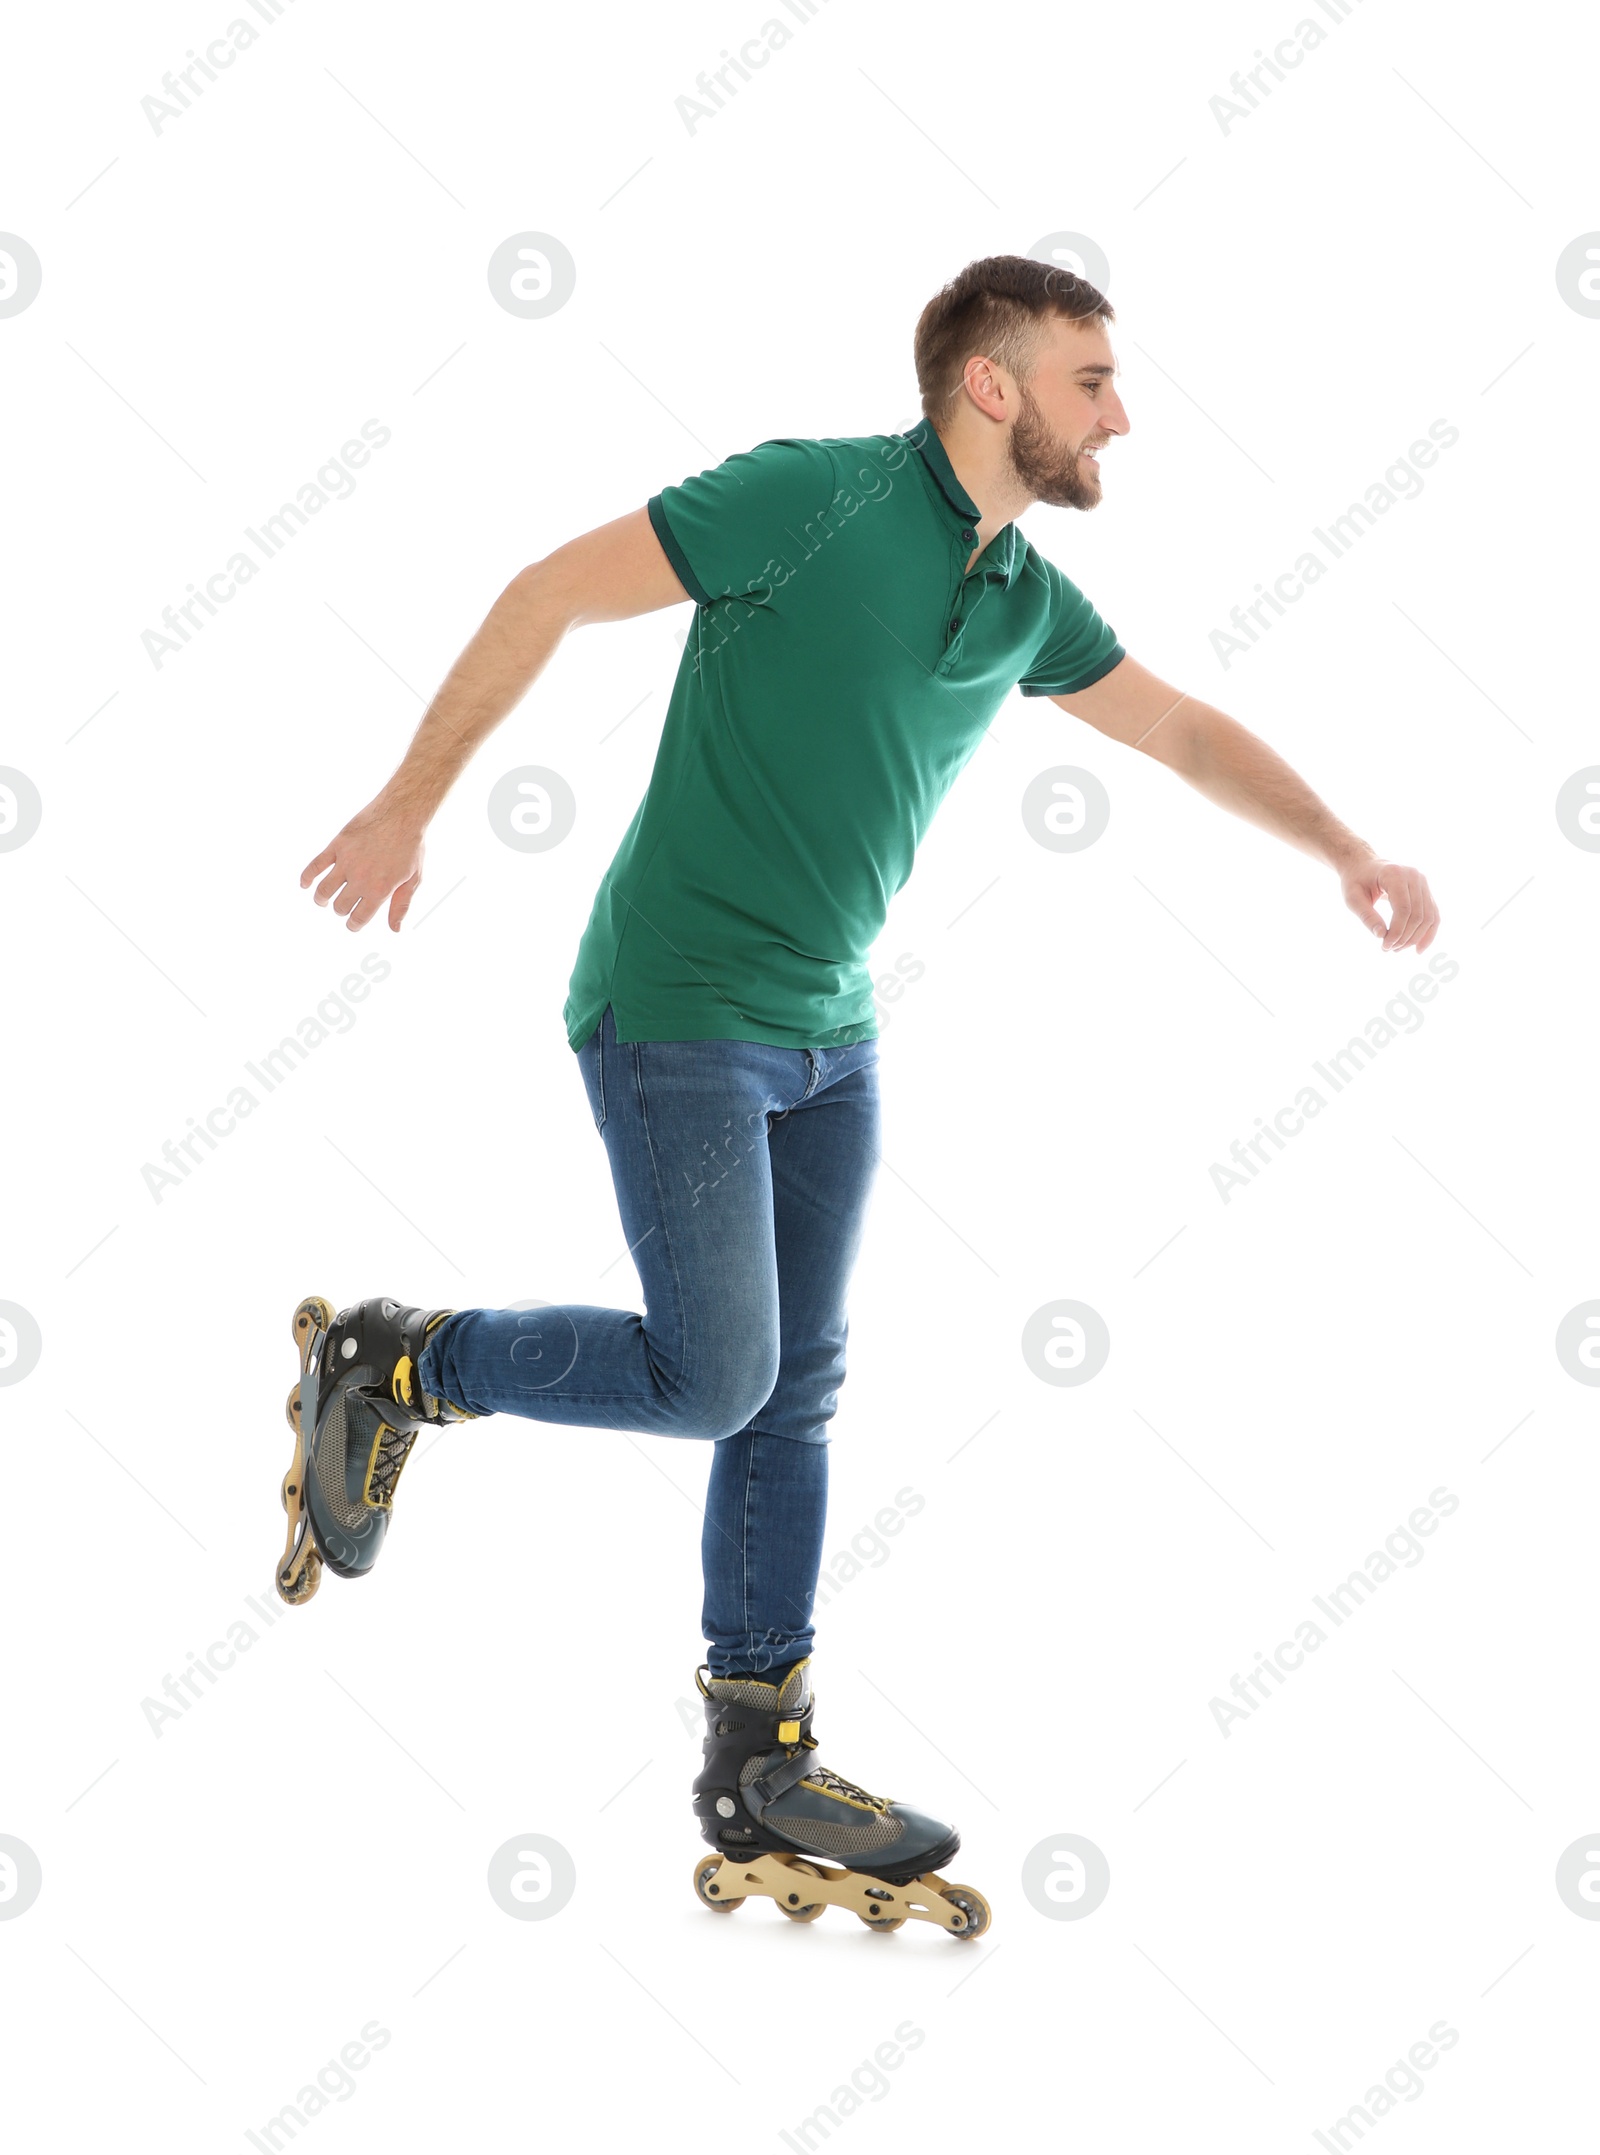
840,671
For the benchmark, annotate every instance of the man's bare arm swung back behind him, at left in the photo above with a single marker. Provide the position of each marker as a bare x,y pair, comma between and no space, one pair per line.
611,574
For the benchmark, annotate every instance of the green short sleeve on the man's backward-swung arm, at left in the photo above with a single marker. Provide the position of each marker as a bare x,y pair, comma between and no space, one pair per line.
732,529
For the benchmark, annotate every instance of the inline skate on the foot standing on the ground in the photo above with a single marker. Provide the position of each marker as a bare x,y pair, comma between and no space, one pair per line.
777,1818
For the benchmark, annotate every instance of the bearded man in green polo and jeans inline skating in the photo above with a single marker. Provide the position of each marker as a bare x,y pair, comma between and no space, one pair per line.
864,607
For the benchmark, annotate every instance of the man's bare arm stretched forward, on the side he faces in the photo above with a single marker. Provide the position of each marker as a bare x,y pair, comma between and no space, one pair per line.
1230,766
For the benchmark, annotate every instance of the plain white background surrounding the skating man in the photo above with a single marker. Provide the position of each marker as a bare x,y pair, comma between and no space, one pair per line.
303,1852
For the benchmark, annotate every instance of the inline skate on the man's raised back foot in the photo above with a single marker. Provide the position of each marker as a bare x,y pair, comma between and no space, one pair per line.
355,1415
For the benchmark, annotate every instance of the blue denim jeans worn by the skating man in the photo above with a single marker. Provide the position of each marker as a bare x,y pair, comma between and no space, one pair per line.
743,1178
